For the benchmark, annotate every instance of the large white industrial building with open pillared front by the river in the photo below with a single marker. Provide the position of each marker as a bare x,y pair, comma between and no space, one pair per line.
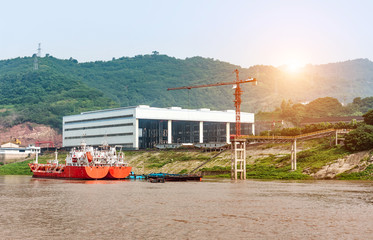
145,127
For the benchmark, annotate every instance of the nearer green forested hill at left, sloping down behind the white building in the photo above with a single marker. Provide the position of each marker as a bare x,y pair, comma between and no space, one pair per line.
44,96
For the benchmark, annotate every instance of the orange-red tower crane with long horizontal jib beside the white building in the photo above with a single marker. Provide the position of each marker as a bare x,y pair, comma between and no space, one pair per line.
237,95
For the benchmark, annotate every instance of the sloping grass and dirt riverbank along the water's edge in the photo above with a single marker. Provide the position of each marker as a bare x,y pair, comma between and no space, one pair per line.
316,160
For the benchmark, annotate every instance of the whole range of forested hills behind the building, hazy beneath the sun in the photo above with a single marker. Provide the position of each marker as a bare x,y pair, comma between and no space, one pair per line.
63,87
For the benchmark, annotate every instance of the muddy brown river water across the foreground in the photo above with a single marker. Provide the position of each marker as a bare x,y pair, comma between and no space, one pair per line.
212,209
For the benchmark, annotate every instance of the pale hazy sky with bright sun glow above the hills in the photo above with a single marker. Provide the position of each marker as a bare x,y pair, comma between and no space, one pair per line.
270,32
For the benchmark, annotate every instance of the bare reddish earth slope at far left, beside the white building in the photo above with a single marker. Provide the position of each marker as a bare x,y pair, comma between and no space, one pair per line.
29,133
